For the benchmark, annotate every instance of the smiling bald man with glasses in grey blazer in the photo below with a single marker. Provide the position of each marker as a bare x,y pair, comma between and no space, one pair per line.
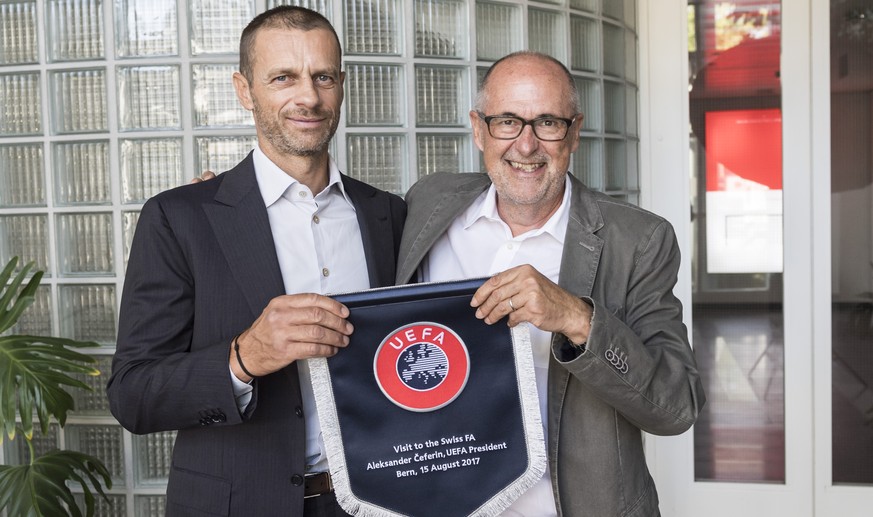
592,275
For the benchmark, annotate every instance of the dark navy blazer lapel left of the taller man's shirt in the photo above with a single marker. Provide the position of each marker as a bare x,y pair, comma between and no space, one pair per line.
239,220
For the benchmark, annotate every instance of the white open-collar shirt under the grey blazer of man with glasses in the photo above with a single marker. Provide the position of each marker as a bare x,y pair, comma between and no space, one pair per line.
480,244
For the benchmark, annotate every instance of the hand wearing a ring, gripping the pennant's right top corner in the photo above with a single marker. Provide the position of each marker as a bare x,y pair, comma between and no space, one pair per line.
525,294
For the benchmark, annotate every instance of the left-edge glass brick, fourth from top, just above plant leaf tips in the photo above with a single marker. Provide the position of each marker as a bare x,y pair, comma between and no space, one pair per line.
25,236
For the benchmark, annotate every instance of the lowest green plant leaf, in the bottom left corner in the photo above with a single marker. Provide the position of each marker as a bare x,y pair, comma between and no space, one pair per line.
40,489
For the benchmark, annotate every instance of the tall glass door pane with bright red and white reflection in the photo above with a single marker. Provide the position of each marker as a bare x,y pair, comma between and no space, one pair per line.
736,188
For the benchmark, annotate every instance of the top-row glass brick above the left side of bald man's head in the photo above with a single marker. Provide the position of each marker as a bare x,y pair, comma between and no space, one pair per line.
498,30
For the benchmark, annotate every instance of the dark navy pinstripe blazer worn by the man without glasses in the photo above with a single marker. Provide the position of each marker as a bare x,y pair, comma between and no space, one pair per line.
202,268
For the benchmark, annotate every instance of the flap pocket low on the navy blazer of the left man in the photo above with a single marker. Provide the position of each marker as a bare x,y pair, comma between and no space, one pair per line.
201,493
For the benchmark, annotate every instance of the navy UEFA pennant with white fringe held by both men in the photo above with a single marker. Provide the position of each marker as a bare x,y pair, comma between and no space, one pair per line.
429,411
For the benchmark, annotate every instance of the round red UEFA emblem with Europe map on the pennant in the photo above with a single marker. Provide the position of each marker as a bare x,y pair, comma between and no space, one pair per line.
422,366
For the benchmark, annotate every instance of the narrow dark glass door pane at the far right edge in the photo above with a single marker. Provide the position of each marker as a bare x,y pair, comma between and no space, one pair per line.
851,49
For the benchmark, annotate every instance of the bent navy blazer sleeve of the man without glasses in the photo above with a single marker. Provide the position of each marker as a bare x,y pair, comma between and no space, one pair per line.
161,378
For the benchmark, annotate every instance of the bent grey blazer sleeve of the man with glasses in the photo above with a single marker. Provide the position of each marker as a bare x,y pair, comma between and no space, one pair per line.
638,358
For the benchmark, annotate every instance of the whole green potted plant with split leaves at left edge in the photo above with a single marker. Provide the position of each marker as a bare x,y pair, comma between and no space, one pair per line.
35,374
